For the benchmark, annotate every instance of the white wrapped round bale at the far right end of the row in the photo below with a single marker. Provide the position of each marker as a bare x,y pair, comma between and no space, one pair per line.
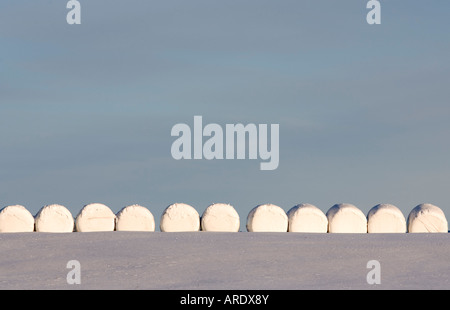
427,218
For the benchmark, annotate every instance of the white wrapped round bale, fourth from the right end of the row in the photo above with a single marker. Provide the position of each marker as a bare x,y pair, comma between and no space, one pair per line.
308,218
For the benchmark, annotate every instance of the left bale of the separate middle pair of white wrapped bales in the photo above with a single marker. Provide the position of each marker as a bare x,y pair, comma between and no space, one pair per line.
180,217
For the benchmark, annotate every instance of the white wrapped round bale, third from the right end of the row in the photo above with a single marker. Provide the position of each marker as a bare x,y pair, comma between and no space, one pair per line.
346,218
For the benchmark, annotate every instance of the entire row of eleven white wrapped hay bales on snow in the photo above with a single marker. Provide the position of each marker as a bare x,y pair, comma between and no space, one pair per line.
340,218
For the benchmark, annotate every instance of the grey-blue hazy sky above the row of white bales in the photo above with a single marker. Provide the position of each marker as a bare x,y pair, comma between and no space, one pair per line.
86,111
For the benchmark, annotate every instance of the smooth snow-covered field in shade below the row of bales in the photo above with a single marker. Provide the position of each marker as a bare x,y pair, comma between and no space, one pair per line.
230,261
